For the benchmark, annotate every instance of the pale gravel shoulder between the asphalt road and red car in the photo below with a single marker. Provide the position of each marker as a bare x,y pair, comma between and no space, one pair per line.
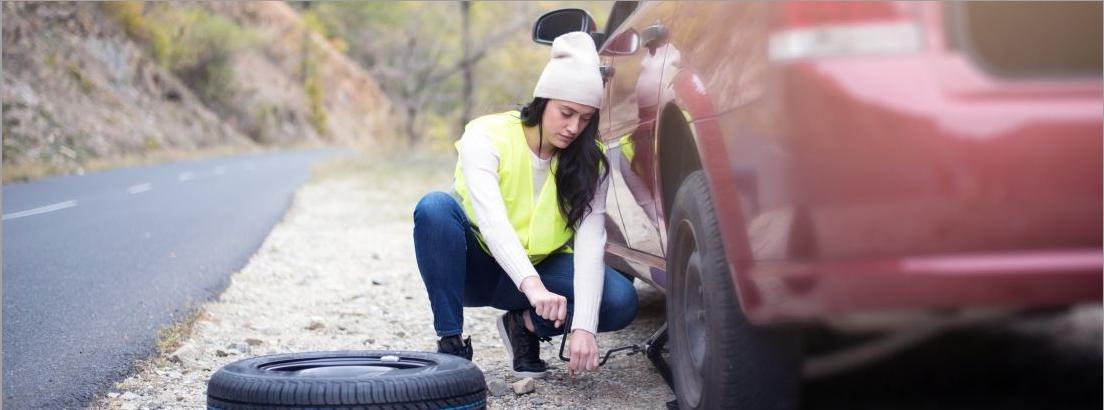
339,274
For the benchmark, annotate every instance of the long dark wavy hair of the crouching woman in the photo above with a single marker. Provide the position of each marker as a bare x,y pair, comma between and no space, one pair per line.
579,169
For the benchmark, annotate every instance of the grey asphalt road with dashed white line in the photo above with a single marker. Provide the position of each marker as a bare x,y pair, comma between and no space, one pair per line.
95,265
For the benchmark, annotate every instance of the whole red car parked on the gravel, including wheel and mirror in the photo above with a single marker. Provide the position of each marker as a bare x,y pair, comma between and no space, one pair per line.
857,166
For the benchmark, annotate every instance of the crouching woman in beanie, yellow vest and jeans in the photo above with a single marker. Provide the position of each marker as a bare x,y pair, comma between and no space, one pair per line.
525,228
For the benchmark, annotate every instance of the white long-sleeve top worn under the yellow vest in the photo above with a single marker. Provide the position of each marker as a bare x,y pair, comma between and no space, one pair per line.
480,164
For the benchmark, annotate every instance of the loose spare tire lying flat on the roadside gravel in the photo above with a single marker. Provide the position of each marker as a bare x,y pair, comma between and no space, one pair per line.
355,380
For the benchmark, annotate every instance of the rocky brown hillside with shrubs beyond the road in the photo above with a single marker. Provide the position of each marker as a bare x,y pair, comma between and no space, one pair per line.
91,87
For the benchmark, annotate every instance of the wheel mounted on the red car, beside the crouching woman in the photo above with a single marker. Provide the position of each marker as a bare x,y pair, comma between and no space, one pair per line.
718,359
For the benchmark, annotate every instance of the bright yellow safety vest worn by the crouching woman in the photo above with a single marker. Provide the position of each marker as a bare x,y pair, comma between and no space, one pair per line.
542,227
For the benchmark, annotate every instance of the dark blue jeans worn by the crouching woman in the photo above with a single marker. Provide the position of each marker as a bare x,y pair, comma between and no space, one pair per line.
458,274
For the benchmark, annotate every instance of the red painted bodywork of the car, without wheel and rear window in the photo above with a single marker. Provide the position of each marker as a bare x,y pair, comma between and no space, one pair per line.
866,183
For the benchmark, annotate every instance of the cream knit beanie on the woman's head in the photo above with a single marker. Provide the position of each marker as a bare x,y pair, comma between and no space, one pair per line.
574,73
